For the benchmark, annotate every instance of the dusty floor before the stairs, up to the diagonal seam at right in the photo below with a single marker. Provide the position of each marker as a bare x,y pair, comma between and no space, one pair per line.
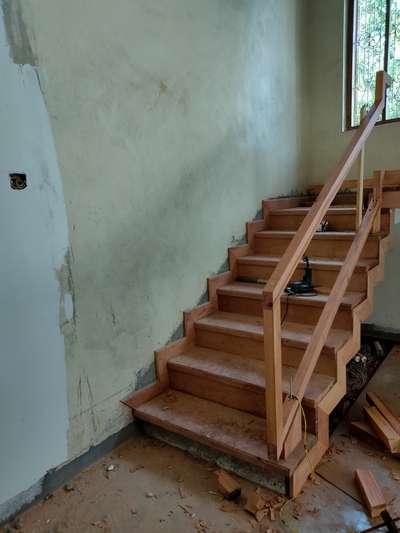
155,487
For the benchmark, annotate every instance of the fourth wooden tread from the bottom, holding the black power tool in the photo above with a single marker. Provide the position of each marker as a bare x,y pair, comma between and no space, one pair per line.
241,289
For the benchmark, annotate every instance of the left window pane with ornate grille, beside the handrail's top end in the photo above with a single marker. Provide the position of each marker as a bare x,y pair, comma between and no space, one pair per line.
369,52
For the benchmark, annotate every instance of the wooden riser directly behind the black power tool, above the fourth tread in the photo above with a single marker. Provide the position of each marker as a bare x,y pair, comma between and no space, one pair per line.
321,278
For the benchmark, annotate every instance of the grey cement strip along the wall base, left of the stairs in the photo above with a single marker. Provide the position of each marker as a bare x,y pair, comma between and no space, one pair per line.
57,477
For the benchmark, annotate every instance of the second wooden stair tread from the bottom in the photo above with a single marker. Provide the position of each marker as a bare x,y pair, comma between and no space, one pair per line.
244,372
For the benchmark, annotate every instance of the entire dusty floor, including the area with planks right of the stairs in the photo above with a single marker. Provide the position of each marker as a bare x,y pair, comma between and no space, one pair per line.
155,487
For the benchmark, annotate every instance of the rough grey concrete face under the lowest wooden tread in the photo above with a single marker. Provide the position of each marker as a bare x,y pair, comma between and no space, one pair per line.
240,468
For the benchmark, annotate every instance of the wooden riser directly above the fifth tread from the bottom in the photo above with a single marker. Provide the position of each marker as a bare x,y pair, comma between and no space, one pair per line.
319,247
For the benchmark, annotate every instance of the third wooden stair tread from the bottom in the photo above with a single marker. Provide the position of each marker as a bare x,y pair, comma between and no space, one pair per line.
252,326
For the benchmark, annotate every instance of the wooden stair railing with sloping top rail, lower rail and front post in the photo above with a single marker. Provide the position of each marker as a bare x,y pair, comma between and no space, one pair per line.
280,416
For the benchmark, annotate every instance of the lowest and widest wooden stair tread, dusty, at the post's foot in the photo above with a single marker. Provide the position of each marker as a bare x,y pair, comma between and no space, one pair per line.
229,430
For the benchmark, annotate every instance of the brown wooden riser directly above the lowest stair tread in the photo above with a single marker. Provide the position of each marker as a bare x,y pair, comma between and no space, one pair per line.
238,397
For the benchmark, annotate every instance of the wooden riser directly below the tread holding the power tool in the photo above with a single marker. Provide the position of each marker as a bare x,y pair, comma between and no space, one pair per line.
306,314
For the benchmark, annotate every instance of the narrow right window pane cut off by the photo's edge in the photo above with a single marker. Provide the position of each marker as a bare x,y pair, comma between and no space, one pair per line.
393,95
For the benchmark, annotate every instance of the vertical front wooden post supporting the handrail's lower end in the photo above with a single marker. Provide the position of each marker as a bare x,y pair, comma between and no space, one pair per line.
273,376
